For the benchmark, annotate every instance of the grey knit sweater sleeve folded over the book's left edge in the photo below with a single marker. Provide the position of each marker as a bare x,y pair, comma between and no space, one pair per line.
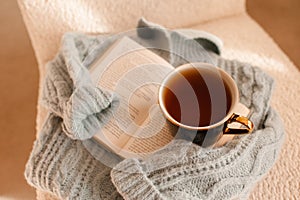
69,92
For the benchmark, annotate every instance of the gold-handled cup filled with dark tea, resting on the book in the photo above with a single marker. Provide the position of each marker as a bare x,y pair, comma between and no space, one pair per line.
201,98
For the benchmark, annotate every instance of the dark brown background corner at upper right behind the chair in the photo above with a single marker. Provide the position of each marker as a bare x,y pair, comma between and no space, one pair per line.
281,19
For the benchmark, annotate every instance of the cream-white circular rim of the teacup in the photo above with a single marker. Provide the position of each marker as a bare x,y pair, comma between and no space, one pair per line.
225,76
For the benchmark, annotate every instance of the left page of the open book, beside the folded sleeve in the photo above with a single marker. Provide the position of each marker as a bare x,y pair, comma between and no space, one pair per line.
134,74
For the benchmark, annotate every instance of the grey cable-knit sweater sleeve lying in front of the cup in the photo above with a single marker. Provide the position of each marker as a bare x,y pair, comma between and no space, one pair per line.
196,172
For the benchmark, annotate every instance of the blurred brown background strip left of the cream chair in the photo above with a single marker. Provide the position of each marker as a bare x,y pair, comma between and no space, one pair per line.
18,98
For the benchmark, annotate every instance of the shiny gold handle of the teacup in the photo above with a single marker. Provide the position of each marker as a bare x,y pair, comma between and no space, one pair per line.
238,131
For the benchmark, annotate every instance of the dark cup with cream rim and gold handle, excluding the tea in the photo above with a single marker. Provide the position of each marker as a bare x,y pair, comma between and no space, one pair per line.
212,132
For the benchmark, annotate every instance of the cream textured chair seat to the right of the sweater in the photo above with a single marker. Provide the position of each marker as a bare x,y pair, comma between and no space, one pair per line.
251,44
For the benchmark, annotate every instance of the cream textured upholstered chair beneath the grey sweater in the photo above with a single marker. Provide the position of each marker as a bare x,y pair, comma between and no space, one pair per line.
243,39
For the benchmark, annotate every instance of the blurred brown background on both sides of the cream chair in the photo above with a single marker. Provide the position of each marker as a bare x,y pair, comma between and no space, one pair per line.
19,82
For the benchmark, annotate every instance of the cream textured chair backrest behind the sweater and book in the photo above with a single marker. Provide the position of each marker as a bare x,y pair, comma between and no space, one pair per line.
47,20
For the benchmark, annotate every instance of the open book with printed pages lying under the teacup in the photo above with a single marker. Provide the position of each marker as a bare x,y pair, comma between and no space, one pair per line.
134,73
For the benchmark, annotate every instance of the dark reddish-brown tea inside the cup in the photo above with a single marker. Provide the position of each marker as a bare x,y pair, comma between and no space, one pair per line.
197,97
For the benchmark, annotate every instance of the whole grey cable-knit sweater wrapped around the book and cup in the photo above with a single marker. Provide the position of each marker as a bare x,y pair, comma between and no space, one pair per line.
60,163
